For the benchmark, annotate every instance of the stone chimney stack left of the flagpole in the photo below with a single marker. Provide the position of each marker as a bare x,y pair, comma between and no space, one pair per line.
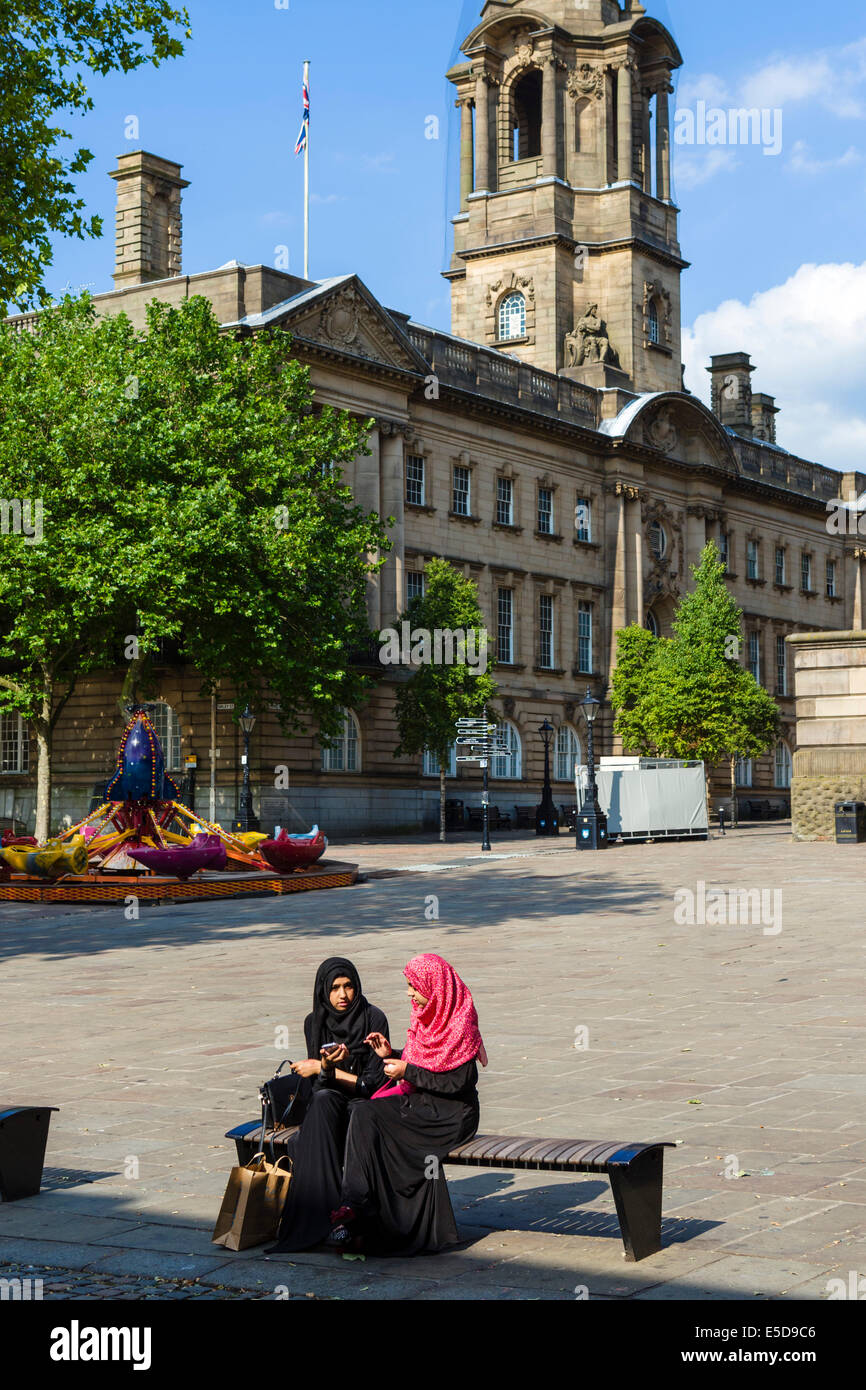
148,222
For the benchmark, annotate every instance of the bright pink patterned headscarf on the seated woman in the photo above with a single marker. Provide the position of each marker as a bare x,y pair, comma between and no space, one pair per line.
444,1035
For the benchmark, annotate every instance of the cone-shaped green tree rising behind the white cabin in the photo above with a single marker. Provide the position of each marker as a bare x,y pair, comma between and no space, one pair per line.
689,696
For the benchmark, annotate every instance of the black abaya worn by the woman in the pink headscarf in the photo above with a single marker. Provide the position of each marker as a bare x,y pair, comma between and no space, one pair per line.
394,1177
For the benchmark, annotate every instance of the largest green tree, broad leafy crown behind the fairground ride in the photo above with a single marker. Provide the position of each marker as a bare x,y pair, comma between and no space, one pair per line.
186,490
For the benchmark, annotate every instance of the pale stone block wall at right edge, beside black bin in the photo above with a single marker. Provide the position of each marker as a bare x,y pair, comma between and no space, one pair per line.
831,760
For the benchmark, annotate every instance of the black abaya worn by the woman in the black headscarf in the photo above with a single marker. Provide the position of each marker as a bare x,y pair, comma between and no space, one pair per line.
318,1149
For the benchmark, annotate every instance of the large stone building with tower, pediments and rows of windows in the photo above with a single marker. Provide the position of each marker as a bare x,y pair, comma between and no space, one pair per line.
580,493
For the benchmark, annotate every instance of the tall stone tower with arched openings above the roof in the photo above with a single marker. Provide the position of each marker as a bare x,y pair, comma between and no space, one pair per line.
566,248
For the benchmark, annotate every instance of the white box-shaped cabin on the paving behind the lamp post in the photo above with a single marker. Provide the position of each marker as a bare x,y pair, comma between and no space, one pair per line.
650,799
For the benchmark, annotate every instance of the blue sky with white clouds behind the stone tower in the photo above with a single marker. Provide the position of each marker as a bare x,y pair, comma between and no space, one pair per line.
776,243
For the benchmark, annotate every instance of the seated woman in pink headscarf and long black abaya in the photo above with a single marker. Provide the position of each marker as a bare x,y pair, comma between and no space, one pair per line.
394,1195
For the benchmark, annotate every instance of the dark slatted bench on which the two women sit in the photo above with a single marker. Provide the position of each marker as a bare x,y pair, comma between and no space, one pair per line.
636,1171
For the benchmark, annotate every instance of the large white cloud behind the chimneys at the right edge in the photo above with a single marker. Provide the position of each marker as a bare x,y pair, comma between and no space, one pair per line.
808,341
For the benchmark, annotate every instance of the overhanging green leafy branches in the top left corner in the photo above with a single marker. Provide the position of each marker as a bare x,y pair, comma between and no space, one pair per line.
47,47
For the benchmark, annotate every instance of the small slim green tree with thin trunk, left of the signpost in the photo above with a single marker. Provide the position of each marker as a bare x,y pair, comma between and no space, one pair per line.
437,696
